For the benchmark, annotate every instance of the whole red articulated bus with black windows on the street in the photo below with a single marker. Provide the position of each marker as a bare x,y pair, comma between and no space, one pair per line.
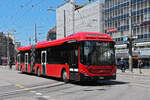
80,56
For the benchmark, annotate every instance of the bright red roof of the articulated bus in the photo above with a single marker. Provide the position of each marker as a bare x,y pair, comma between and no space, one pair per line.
82,36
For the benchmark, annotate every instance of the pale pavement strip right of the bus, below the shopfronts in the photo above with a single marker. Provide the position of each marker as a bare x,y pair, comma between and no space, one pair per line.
135,71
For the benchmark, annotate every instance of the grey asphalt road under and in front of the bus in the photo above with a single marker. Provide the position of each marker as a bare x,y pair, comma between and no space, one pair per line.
17,86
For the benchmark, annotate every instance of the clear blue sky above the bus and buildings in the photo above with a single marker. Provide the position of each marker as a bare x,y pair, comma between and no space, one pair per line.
19,16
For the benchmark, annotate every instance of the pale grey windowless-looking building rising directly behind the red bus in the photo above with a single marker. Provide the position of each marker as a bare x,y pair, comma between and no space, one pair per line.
72,18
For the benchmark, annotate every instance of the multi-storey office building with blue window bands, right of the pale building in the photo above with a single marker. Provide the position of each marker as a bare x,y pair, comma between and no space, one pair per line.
117,14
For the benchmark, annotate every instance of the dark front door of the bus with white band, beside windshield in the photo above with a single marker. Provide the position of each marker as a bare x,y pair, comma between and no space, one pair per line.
73,64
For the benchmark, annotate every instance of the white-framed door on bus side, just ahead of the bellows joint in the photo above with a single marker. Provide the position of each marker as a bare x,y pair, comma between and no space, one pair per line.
43,62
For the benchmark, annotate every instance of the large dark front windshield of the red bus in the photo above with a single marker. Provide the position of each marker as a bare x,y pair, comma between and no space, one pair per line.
97,53
